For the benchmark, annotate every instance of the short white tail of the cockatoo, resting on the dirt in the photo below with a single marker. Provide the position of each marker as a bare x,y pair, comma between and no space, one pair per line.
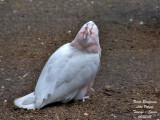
27,101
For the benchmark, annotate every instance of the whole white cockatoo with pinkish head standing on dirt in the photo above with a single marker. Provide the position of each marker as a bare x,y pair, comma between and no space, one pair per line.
69,73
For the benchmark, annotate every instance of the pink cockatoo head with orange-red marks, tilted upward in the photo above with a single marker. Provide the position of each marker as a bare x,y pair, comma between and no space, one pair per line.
88,38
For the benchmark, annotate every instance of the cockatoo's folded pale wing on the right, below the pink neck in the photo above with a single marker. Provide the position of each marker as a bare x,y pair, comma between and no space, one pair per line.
78,73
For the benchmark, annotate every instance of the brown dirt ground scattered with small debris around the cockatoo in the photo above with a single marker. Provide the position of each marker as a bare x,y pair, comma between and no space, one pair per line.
31,30
